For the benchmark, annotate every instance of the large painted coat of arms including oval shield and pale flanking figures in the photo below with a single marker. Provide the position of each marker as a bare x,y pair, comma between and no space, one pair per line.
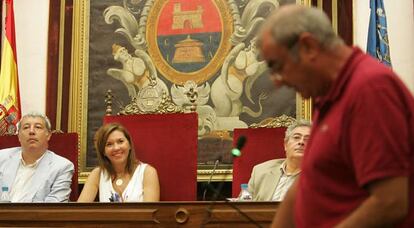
206,46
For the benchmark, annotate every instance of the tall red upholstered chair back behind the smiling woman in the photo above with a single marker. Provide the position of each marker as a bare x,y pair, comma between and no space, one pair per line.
167,142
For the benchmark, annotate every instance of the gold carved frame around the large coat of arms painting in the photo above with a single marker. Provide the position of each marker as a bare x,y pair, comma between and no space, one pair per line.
78,94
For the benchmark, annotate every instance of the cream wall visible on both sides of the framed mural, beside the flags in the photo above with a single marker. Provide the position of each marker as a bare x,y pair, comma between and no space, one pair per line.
31,33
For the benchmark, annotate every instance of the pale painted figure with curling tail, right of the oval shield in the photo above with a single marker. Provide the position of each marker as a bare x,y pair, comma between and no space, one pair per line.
241,64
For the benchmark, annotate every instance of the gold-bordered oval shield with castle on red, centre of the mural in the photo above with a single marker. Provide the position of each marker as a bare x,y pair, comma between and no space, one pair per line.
187,40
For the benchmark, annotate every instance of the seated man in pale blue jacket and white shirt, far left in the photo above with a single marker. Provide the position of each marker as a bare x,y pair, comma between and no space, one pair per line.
32,172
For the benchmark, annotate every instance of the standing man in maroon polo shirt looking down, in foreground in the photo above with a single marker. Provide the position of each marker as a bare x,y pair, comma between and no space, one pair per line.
357,169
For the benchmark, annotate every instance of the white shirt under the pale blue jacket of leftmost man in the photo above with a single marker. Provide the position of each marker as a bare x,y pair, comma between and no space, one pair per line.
20,188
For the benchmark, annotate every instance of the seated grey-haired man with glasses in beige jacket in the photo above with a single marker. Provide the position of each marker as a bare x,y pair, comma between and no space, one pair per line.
270,180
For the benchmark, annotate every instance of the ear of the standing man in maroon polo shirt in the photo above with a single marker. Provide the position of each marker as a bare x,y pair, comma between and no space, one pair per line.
309,47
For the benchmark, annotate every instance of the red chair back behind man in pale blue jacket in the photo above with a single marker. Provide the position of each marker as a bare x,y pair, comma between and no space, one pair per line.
65,145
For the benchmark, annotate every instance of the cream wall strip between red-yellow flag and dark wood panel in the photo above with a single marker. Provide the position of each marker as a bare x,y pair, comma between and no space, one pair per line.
32,18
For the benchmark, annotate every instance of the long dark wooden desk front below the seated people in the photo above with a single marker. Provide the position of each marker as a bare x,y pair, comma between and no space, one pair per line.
163,214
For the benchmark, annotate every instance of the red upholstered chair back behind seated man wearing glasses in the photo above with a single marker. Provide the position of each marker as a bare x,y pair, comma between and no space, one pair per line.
262,144
